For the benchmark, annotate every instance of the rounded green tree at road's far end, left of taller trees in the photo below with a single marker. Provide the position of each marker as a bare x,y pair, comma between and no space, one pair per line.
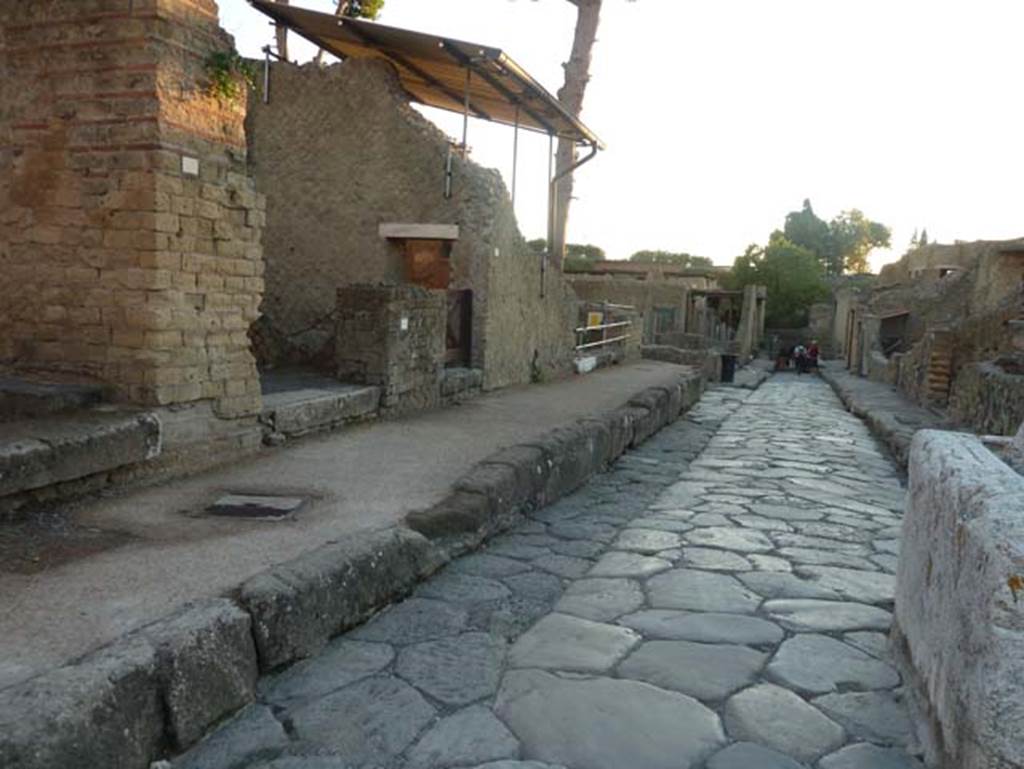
792,274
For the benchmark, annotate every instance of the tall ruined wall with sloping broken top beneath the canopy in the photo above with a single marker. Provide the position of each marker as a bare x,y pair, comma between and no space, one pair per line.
338,152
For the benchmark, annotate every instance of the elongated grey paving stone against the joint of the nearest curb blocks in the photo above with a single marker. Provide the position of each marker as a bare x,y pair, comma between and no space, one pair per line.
340,664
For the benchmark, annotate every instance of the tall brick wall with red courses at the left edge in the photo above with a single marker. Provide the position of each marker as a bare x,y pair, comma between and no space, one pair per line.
119,266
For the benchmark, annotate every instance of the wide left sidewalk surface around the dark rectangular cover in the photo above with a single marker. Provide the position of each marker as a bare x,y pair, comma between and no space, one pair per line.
162,553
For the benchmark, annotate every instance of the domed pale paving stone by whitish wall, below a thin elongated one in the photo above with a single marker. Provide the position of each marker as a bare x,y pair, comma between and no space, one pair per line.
813,664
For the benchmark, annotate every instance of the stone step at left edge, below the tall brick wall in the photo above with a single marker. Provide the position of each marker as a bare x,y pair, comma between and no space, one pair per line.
40,453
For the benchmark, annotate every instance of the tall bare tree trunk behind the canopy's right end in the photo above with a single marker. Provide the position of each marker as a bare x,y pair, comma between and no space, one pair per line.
571,95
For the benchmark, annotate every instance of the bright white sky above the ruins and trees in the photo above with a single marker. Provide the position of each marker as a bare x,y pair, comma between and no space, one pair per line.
722,116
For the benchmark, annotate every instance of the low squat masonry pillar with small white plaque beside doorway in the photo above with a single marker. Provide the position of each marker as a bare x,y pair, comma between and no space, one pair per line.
394,337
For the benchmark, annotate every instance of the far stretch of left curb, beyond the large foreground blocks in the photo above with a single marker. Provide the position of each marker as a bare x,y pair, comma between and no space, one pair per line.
493,495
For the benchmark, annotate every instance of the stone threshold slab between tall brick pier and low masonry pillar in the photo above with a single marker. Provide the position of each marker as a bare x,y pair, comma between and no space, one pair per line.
326,406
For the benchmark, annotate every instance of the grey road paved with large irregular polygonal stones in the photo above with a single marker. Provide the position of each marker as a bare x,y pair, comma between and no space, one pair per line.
719,601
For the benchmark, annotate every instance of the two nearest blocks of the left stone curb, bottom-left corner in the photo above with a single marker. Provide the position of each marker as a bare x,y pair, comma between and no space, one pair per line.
162,687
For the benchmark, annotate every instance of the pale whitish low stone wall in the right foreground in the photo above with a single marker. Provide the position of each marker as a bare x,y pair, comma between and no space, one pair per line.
959,630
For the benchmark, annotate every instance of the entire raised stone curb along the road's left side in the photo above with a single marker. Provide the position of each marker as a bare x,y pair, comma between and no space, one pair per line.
158,691
